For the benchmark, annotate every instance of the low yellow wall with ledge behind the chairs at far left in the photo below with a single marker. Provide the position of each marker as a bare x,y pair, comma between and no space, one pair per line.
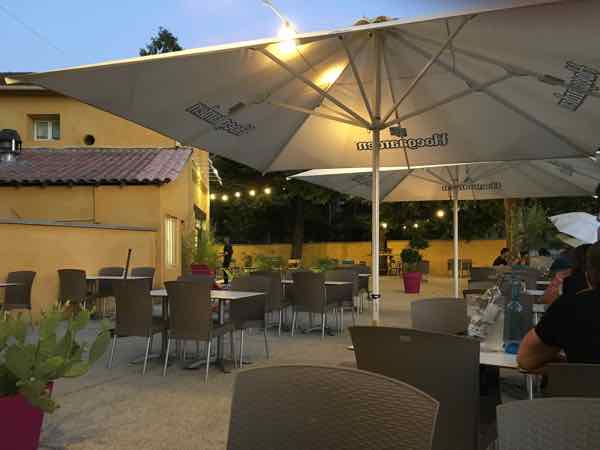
45,249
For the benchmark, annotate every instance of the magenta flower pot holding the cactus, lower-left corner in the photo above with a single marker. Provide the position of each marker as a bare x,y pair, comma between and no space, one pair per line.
21,422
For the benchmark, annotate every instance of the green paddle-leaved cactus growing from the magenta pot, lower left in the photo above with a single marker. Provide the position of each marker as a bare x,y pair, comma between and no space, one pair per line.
30,361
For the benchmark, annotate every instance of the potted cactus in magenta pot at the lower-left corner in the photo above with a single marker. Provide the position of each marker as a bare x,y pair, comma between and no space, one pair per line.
31,362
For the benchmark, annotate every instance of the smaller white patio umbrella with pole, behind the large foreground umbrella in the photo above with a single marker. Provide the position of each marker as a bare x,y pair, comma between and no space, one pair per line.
475,181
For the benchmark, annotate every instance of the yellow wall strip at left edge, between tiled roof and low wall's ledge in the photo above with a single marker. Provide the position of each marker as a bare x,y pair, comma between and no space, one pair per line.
50,203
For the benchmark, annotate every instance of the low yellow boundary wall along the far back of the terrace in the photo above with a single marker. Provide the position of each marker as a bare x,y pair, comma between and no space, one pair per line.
482,252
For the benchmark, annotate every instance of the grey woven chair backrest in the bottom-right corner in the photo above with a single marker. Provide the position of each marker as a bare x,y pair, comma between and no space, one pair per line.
550,424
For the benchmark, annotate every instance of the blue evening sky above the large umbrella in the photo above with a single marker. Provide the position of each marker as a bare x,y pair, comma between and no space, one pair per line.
86,31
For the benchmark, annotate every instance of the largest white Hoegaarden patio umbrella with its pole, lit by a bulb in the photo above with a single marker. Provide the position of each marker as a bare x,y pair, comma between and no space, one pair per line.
484,84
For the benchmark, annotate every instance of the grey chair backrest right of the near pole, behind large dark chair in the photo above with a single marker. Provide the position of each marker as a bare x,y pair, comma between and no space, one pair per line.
442,315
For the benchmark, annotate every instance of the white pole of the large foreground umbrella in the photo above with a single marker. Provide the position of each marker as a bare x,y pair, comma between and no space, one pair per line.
375,229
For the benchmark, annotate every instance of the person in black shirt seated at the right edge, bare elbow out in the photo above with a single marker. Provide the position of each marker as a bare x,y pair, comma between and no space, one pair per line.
571,324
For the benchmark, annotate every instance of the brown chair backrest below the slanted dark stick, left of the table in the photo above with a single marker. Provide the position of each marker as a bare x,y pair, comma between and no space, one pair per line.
133,307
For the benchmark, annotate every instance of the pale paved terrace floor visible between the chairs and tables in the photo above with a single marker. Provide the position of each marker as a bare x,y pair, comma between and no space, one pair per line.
121,409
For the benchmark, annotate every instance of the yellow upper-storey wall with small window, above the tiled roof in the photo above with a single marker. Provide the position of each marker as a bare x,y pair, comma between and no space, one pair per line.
76,120
